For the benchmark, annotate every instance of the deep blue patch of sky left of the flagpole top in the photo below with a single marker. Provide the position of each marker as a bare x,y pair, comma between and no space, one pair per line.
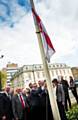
11,11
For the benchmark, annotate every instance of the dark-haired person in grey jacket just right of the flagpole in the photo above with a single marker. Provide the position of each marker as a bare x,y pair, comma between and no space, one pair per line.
60,97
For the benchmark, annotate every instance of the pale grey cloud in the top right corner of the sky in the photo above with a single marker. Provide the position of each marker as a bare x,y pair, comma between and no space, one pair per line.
61,11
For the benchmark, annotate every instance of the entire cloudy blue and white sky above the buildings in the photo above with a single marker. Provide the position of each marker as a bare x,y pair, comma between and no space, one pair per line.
18,40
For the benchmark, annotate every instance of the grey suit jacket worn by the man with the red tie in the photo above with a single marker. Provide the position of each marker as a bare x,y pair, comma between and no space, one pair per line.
17,107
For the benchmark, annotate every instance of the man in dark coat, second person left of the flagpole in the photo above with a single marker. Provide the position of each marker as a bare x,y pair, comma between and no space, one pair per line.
35,103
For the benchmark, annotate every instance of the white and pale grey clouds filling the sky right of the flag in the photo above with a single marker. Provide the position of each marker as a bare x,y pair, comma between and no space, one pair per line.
63,28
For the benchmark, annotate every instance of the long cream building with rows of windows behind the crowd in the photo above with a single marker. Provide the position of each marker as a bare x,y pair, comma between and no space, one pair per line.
34,73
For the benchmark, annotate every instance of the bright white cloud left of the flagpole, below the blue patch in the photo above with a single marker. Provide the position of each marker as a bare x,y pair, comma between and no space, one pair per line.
19,44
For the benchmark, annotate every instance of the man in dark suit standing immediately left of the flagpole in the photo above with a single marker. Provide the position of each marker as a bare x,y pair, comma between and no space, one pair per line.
46,112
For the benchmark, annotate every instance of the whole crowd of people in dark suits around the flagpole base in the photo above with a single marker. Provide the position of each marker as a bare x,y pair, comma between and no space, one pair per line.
32,103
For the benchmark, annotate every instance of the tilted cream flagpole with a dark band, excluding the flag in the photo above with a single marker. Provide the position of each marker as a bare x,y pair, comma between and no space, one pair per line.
53,103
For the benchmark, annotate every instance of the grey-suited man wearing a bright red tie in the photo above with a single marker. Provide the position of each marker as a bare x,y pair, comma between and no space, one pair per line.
18,105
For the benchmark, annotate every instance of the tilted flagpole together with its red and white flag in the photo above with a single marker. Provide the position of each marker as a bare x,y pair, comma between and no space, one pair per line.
47,50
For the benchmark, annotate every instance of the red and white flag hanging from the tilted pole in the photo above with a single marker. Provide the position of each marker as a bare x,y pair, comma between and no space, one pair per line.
47,45
